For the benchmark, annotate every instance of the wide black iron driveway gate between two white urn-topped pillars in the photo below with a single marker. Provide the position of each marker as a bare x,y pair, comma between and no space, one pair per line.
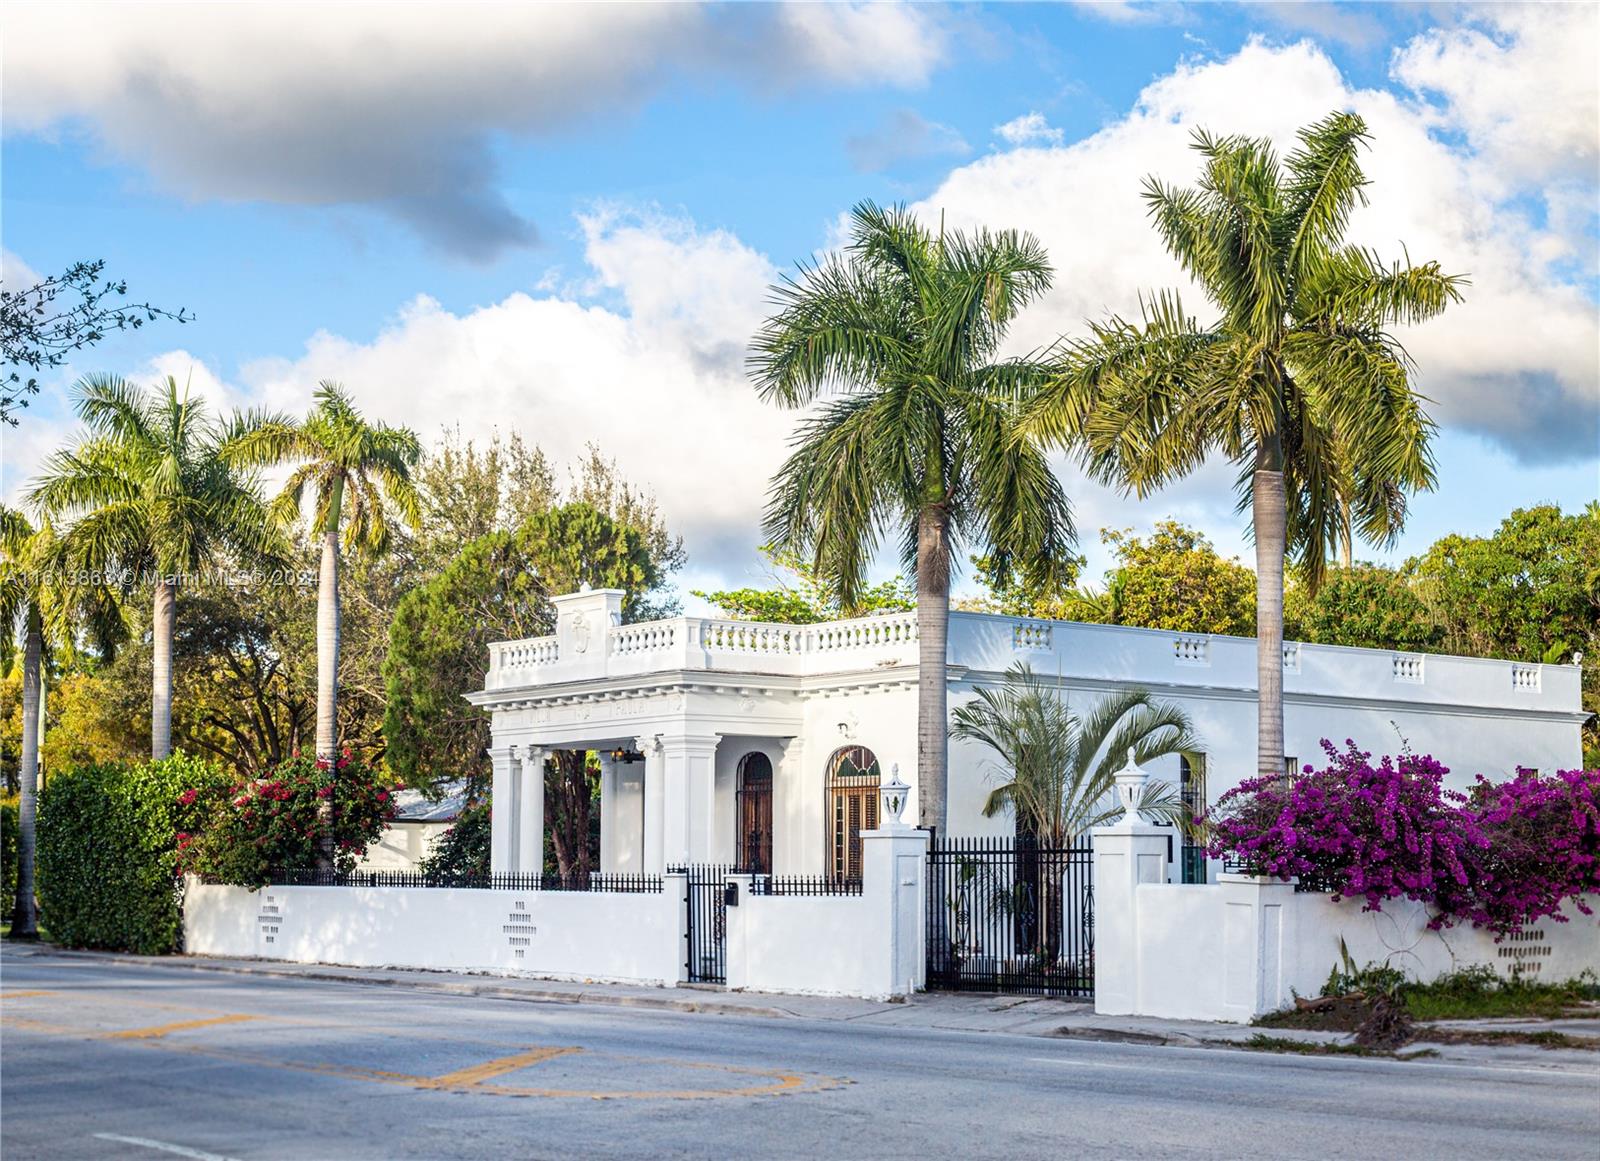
1012,916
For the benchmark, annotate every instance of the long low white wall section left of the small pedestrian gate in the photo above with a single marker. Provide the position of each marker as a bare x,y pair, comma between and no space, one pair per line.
559,935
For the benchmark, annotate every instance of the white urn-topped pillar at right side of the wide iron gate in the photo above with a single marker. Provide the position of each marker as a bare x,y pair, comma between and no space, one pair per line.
1127,853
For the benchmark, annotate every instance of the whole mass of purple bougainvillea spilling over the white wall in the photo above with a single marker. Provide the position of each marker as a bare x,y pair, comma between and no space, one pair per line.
1500,858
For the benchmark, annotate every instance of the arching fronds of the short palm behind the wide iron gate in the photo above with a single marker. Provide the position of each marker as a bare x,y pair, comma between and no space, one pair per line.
1060,768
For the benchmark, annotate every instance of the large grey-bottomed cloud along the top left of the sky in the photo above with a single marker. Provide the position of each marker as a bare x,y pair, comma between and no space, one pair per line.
394,106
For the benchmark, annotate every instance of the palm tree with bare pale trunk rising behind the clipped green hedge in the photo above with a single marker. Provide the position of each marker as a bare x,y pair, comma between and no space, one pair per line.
153,500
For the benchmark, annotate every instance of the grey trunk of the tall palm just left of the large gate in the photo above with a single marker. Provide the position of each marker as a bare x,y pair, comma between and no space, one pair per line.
934,628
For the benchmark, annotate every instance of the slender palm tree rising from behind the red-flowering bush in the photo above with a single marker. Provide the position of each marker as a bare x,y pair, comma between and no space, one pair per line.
348,469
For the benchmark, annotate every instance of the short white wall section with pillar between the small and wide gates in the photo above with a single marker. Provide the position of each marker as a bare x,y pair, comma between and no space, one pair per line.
865,946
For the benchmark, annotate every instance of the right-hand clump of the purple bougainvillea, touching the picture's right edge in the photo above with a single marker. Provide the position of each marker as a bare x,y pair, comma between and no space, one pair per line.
1543,850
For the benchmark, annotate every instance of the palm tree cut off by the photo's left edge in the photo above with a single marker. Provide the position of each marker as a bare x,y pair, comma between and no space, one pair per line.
41,605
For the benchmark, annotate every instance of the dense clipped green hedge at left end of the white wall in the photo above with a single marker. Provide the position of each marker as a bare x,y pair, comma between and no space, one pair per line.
108,853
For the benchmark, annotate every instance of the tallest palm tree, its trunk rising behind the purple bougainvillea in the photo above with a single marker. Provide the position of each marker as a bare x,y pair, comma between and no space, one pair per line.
1298,381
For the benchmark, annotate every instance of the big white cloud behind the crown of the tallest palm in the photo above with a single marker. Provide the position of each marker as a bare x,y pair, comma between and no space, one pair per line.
1518,362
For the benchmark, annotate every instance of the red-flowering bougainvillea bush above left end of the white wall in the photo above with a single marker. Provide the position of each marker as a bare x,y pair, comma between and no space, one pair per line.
274,823
